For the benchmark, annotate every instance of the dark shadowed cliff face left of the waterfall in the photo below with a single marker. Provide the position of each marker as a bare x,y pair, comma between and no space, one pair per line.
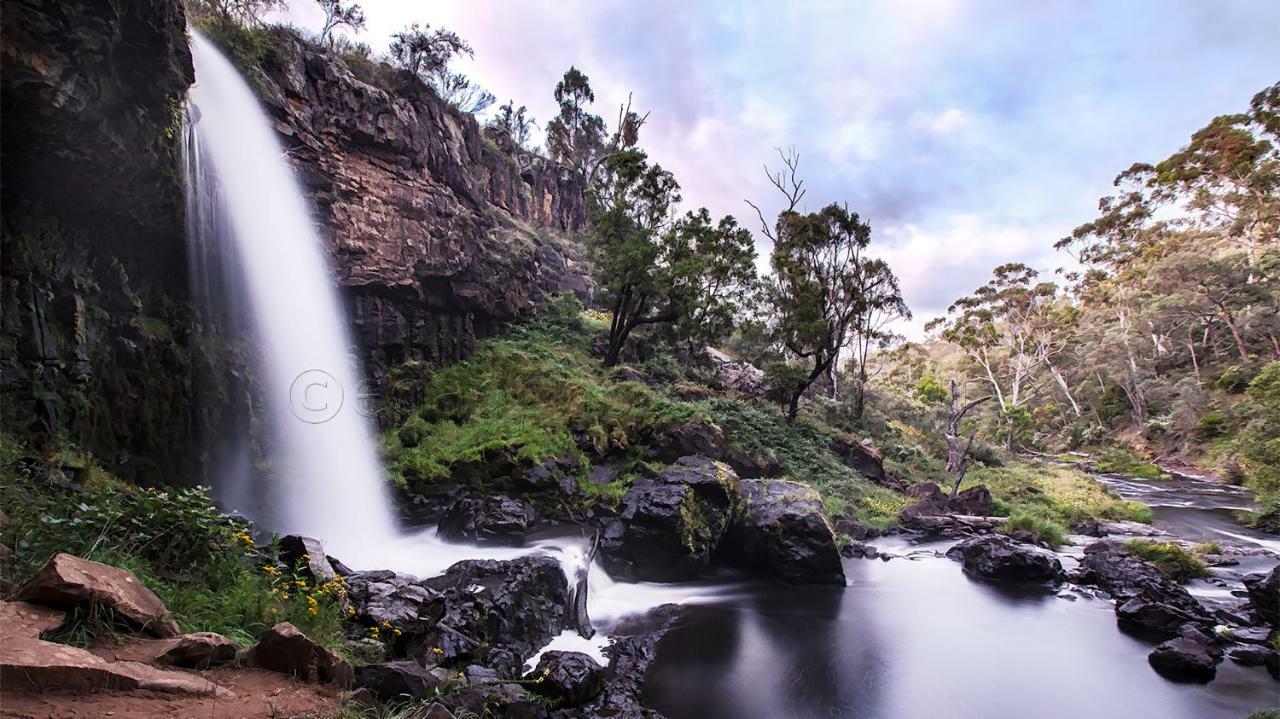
95,323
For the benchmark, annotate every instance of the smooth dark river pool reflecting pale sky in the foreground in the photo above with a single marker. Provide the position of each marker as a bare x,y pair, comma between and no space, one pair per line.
921,639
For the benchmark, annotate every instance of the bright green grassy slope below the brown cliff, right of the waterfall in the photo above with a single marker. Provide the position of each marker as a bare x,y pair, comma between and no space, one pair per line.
527,397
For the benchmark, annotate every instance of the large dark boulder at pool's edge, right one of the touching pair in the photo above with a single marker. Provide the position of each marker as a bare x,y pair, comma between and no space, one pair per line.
780,528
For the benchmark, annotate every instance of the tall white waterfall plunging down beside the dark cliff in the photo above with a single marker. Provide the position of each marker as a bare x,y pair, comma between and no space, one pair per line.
255,248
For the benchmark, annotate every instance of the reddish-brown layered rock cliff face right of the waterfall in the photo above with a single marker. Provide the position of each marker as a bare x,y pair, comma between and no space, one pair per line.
438,233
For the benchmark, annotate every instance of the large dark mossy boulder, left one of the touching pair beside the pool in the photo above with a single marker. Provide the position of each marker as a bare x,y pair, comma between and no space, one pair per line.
671,524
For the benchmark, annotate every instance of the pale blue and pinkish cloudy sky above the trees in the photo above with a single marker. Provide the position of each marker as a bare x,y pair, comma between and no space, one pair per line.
968,134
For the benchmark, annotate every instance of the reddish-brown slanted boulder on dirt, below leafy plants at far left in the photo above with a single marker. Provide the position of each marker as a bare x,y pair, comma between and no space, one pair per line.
71,583
